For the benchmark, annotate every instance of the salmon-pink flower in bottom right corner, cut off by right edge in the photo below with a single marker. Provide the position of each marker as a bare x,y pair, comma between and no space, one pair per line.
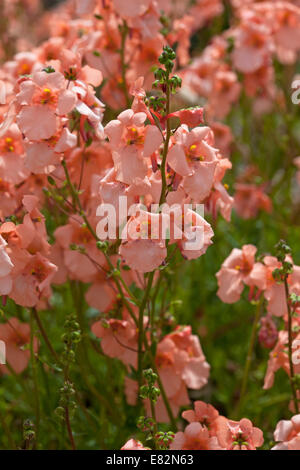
287,434
